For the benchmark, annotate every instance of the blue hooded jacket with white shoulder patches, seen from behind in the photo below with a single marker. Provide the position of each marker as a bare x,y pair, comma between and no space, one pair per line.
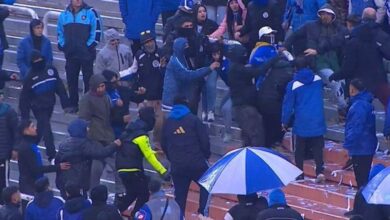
304,100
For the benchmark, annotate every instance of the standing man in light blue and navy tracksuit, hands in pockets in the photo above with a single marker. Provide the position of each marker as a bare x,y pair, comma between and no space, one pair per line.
79,30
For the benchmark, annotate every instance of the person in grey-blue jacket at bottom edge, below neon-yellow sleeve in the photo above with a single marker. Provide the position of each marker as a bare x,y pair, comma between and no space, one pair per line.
152,209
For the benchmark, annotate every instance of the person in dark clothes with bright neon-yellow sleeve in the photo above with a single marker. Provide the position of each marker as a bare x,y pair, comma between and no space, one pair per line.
129,160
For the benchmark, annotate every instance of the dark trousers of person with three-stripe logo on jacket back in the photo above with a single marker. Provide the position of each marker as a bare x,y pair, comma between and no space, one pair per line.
182,180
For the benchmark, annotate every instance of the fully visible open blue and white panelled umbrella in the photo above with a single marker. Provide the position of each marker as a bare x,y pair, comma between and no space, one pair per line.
249,170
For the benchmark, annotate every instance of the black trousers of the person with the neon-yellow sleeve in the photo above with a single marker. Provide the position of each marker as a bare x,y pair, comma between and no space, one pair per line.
136,184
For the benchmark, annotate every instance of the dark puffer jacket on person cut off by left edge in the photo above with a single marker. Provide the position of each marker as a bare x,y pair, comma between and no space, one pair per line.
8,130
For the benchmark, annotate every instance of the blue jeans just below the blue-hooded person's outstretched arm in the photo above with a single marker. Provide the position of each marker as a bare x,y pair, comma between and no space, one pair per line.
209,92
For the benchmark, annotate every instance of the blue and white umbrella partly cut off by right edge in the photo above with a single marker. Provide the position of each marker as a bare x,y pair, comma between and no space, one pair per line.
377,191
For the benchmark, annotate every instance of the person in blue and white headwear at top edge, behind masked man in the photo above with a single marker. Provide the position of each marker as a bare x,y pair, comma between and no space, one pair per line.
184,11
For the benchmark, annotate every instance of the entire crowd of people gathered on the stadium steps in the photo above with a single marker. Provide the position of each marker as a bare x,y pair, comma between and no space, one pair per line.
275,57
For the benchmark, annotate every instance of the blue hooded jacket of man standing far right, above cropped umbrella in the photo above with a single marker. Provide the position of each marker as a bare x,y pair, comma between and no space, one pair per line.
360,133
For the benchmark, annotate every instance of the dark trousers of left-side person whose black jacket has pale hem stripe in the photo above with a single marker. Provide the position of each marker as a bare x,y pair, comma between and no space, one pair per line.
43,117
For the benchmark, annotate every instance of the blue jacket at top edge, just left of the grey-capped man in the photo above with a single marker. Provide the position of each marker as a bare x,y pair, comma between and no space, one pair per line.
298,17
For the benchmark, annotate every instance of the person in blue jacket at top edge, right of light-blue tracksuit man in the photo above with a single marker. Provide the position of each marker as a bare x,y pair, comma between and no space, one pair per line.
139,16
